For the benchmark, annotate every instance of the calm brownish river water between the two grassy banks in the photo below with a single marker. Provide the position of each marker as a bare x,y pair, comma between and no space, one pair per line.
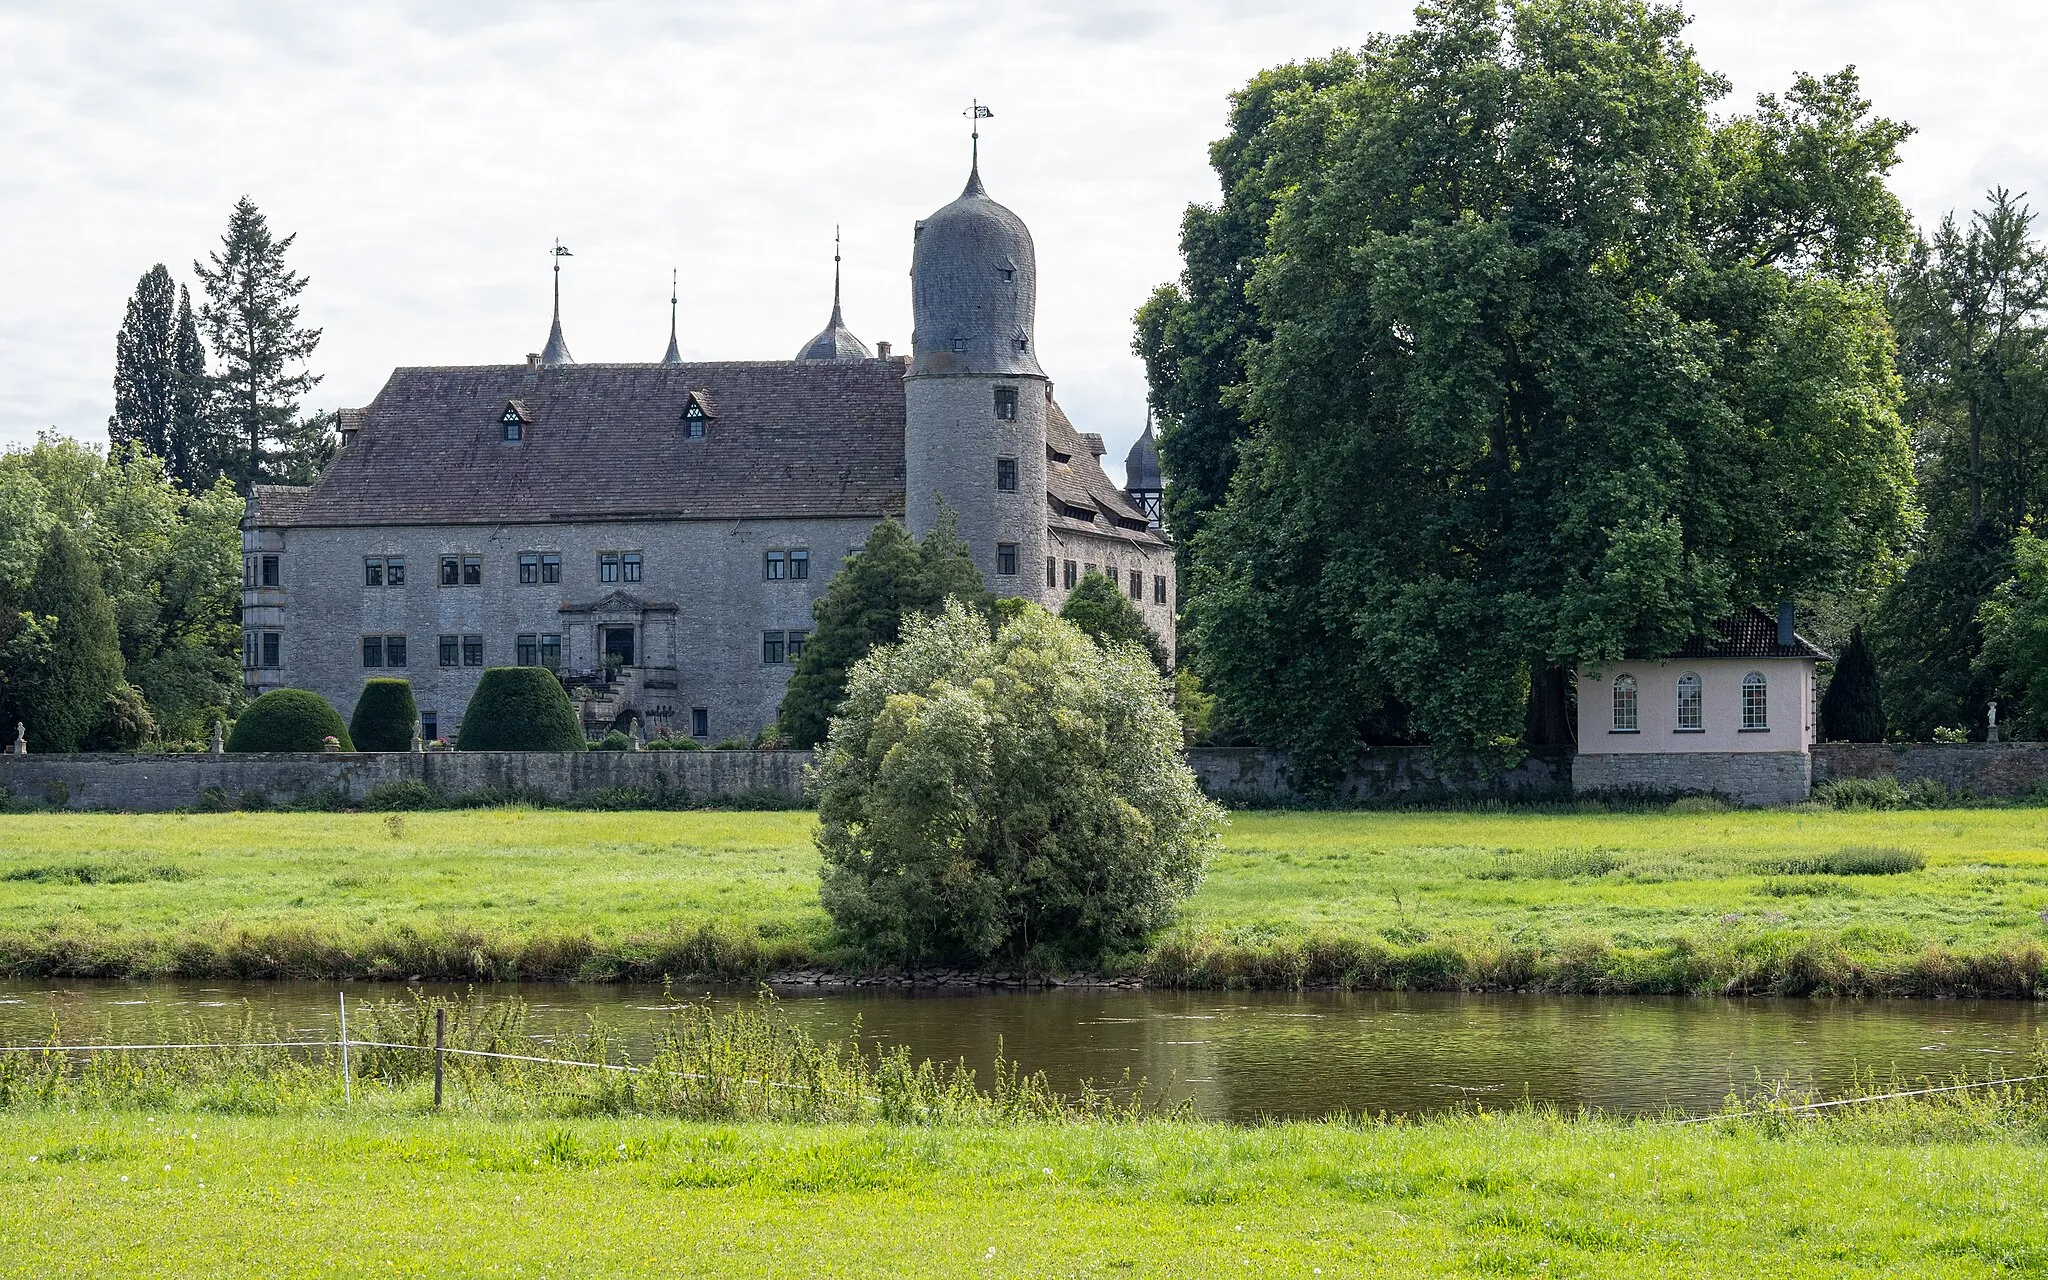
1246,1056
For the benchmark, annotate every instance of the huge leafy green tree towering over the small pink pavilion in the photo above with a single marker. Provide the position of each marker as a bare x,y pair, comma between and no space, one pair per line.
1551,368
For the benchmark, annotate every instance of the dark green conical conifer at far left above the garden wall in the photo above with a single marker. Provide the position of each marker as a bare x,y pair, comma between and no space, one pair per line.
65,697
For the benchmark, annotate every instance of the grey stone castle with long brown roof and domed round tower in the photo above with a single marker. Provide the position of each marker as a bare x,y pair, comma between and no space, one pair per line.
658,534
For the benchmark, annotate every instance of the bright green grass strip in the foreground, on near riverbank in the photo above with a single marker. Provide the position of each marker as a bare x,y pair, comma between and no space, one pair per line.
181,1193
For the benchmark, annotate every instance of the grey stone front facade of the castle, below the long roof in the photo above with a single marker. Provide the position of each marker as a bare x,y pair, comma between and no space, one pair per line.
710,570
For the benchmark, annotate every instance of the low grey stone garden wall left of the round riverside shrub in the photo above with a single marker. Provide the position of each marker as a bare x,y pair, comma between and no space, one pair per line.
161,783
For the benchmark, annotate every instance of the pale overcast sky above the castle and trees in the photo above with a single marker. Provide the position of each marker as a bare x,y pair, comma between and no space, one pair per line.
427,157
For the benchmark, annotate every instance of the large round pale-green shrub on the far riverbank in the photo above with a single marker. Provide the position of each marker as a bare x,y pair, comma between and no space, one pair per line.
1013,798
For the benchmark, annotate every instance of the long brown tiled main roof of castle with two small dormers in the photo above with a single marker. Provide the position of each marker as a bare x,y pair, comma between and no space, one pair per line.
790,441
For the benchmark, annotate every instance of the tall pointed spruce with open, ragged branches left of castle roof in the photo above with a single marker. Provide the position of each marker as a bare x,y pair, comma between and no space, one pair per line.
253,325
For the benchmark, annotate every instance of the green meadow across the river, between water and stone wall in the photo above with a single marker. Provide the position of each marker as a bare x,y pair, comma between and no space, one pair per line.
1512,900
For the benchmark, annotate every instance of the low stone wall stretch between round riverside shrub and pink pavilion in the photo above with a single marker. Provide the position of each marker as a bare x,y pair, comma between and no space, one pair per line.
1388,777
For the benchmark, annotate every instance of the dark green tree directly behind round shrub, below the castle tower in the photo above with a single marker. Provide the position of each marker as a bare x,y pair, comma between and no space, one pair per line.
890,581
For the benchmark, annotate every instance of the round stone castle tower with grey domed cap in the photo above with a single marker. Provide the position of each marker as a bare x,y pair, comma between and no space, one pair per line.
974,429
